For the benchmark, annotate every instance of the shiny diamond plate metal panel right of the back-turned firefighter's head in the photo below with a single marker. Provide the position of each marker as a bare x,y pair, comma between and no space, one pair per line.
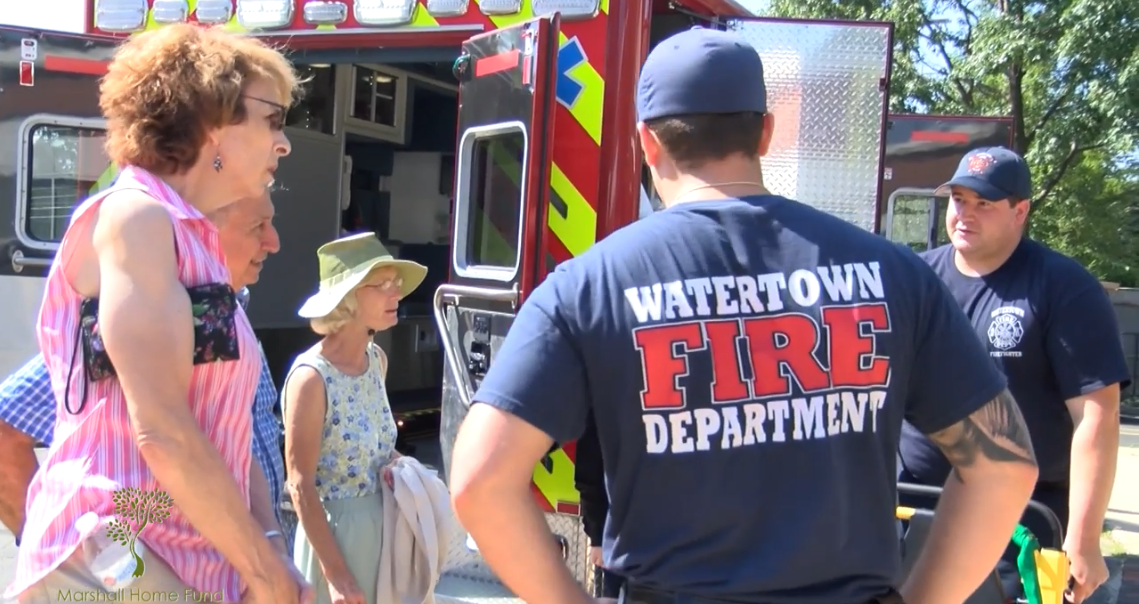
826,93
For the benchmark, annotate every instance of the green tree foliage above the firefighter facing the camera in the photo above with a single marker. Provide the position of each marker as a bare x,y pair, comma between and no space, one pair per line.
1068,74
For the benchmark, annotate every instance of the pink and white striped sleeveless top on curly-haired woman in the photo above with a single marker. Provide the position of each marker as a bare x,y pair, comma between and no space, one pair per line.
94,452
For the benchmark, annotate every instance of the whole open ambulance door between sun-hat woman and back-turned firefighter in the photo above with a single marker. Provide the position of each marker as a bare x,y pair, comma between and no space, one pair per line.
503,182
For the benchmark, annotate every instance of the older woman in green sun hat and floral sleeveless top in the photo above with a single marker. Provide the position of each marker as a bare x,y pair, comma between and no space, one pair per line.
340,435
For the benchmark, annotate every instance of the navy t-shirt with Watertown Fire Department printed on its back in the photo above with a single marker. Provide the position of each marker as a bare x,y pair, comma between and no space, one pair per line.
749,364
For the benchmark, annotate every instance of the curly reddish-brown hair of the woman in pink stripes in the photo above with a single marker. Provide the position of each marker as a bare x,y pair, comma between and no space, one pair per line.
166,89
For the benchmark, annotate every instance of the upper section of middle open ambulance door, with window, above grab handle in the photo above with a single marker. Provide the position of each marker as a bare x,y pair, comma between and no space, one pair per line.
503,160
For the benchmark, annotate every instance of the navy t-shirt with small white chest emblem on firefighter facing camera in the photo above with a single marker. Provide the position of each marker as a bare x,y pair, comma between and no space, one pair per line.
1051,328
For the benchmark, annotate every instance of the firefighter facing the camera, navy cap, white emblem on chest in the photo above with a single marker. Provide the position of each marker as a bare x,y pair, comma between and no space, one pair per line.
1050,327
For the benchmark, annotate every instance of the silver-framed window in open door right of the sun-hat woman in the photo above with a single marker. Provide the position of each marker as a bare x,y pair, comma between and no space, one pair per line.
488,227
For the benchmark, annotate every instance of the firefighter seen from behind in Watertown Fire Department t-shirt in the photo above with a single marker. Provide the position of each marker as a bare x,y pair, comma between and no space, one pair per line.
749,362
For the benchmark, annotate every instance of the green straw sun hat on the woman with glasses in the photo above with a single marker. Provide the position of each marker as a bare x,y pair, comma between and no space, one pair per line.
347,263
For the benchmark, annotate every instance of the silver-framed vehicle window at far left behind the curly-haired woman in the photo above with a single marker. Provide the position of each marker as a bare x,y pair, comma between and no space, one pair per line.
64,164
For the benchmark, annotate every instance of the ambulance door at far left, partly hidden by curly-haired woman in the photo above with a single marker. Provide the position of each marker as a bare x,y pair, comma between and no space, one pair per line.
52,159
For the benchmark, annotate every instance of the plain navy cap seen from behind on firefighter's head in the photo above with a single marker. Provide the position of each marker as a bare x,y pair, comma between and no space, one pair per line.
701,71
